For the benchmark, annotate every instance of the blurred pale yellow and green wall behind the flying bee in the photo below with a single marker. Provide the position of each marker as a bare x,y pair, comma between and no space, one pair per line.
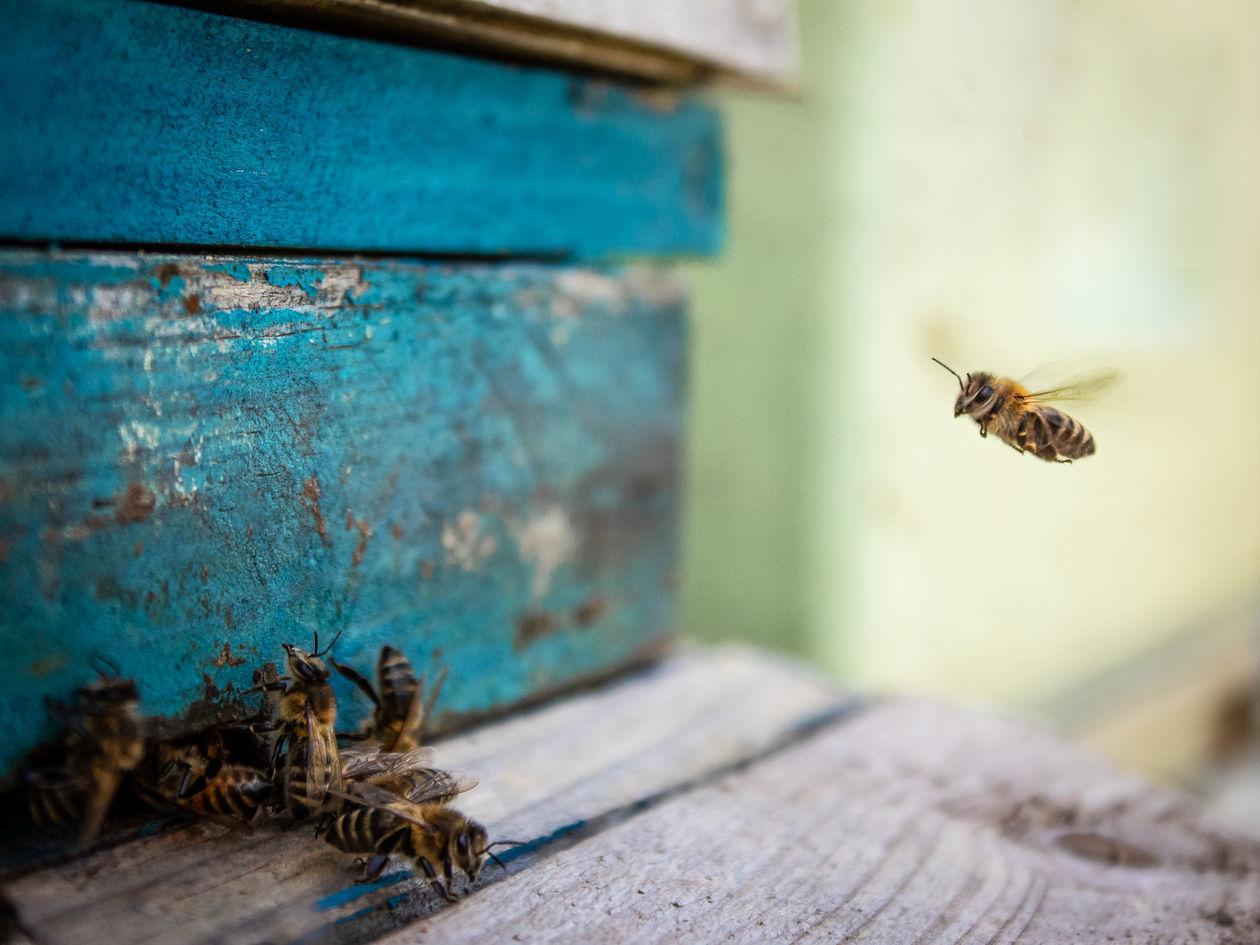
1004,186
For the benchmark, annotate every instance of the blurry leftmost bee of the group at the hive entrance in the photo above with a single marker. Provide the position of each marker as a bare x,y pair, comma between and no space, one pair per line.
104,742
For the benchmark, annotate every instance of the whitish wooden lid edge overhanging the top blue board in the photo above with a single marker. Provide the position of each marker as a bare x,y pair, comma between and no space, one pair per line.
662,41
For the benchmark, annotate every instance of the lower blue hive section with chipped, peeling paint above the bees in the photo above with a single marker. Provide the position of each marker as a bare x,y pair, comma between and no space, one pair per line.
205,458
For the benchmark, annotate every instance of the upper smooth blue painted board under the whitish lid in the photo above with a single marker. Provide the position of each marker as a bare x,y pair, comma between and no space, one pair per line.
137,123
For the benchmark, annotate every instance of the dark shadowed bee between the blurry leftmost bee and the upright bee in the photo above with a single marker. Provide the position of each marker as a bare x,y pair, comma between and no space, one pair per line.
202,778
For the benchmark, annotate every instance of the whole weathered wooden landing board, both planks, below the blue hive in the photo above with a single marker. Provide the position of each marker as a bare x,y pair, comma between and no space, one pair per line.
723,797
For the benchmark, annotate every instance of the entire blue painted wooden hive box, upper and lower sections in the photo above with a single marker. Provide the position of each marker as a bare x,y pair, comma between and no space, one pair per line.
303,333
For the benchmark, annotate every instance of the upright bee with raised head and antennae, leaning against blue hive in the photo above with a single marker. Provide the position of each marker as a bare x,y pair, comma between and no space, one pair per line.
307,716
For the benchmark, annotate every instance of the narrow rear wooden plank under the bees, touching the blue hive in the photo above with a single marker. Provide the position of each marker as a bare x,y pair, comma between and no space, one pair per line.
547,777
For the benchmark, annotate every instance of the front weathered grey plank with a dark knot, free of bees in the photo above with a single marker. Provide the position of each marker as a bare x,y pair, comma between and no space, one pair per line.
912,823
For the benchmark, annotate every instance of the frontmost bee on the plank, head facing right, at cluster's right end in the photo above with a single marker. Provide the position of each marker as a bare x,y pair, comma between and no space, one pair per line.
434,836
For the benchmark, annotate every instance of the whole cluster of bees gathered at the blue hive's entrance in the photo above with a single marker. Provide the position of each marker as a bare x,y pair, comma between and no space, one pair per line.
377,796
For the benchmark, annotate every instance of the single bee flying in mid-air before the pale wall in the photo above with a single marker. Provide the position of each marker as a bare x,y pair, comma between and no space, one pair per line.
1020,418
